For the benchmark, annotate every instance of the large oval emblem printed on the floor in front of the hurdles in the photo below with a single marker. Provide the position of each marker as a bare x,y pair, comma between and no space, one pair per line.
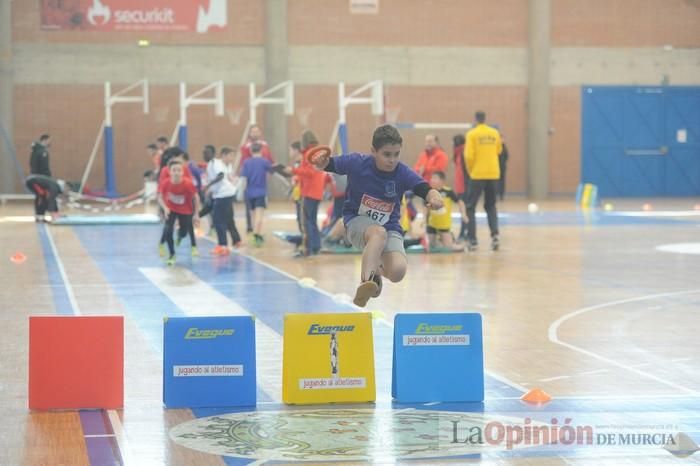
345,434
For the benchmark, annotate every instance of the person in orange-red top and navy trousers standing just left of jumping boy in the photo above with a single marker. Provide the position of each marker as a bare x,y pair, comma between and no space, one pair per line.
312,181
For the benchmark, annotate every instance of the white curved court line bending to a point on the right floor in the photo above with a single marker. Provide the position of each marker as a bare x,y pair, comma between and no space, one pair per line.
554,338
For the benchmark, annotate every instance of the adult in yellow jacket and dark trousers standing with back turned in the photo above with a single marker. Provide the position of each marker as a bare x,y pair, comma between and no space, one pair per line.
481,159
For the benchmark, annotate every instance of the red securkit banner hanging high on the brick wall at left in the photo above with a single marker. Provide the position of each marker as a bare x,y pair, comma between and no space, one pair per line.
200,16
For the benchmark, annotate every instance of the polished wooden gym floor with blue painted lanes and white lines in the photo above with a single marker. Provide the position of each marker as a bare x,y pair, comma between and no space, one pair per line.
599,309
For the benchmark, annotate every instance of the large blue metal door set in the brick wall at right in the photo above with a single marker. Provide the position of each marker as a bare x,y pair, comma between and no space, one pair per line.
641,141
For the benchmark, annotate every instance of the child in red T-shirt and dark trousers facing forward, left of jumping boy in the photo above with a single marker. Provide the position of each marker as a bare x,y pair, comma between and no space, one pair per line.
179,200
